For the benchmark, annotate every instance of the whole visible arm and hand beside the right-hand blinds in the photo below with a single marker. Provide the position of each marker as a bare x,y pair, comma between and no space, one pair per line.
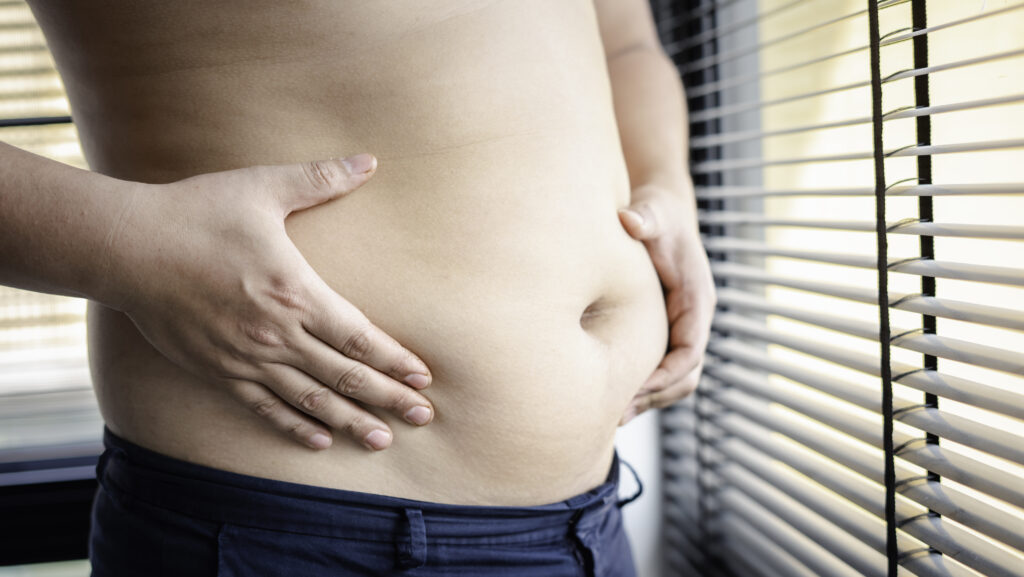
651,111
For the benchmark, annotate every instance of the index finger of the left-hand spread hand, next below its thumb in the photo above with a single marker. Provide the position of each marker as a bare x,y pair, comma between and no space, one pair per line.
345,328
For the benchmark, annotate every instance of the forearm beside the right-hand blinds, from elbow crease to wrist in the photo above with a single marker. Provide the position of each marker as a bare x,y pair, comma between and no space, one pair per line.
651,110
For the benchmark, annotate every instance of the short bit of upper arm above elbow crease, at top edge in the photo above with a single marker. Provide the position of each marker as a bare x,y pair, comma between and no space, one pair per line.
626,26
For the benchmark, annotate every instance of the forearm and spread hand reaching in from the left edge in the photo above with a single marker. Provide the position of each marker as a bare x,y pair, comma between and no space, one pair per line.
187,293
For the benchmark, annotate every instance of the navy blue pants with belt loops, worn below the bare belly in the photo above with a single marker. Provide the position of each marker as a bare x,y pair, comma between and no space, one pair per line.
155,516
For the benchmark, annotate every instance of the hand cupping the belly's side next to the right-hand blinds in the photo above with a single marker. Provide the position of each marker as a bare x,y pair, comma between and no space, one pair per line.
662,220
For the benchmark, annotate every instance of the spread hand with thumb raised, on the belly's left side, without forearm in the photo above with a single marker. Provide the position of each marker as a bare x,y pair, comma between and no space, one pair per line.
205,270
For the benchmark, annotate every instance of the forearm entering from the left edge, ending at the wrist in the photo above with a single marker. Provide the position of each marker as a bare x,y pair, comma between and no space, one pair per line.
57,226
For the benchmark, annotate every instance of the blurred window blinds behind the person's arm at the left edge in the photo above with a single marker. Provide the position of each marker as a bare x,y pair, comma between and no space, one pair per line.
50,426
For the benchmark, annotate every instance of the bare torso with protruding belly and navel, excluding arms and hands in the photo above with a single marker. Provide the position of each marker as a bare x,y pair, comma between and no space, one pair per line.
488,231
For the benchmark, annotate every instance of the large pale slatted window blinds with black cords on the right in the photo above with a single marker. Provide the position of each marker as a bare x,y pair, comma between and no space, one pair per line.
846,154
